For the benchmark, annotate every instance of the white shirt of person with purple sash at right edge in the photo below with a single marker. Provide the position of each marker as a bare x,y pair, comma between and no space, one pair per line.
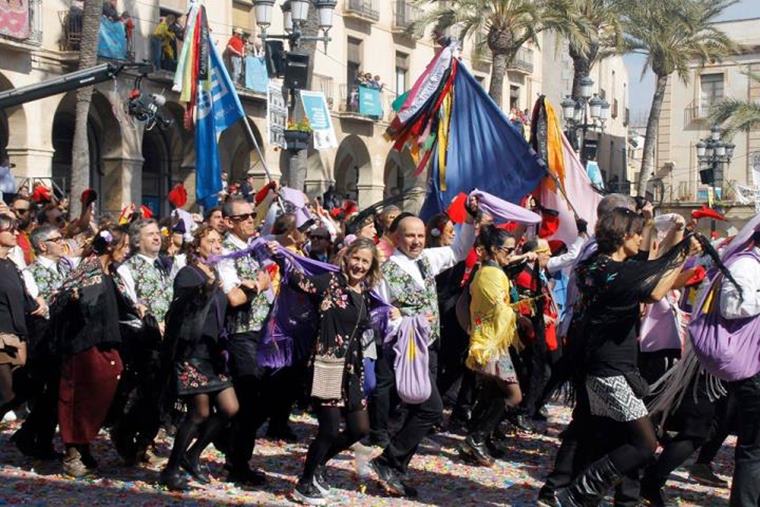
746,272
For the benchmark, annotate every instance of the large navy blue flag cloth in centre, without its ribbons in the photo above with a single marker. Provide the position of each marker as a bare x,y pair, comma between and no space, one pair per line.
485,151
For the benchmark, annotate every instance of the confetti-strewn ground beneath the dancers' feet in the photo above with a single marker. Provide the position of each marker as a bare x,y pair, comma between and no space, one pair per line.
438,473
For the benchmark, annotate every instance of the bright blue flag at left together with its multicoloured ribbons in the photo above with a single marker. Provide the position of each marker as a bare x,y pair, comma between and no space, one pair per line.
212,103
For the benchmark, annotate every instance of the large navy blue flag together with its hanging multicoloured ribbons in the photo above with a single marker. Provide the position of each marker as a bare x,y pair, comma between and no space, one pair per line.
449,122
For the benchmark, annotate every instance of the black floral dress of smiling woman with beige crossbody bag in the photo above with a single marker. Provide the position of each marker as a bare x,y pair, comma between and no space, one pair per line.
344,318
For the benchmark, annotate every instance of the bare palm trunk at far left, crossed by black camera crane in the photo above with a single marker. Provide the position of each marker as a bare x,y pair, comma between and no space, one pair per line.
88,57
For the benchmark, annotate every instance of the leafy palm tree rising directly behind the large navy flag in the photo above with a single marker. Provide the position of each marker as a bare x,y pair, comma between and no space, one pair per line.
507,25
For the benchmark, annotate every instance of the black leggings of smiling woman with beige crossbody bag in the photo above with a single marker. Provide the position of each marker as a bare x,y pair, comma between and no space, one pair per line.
329,441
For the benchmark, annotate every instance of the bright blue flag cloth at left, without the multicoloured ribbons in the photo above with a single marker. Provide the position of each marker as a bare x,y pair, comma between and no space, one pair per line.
216,110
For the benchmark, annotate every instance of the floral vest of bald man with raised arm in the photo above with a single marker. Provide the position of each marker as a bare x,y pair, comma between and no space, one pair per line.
407,296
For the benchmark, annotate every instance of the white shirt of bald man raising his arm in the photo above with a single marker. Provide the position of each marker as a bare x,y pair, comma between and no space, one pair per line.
440,259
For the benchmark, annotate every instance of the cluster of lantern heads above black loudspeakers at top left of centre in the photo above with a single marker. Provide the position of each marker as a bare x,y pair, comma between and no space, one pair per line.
294,14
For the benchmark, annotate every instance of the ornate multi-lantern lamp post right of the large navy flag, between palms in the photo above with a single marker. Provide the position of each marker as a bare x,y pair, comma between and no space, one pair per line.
577,111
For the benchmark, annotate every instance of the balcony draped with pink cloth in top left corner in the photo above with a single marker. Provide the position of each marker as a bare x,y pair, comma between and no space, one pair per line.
21,24
